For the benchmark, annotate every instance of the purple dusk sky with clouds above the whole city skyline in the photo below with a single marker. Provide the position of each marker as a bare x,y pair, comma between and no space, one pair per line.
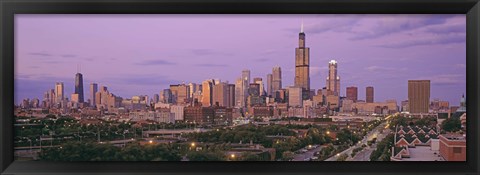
143,54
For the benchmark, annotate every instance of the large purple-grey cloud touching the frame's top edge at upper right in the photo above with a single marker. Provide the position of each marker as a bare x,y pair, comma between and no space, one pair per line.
394,24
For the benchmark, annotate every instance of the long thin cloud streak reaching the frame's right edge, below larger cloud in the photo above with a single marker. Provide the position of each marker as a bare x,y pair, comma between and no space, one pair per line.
435,40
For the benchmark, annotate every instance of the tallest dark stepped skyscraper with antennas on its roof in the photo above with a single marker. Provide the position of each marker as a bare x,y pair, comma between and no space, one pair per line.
302,63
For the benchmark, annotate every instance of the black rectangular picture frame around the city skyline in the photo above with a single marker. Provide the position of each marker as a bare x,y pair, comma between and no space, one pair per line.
8,8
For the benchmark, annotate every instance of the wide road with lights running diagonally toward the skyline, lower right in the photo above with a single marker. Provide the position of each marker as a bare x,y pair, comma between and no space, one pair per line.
375,133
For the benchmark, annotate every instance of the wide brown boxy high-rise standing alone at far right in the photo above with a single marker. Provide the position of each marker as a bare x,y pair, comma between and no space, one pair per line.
418,95
